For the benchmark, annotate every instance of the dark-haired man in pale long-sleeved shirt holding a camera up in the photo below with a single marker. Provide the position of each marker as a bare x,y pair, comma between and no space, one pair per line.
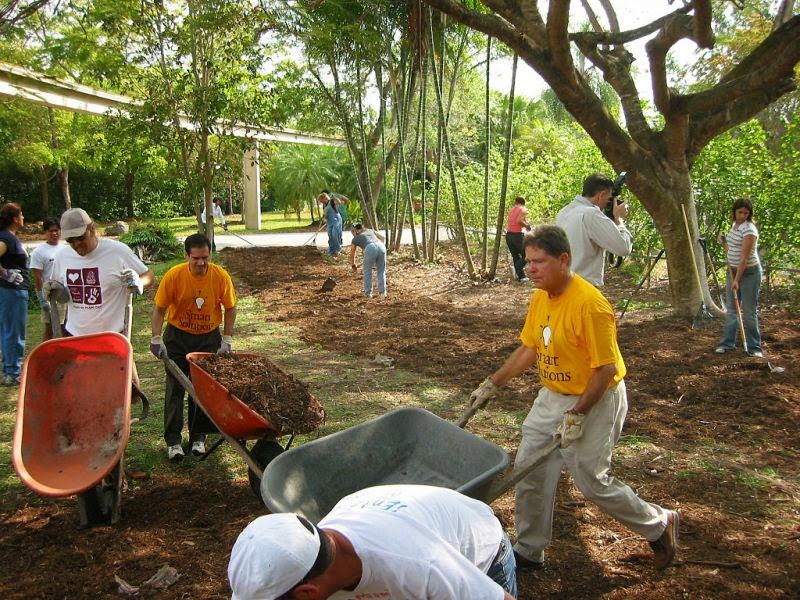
591,232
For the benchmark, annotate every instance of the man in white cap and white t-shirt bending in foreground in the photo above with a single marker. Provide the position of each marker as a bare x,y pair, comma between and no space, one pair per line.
391,542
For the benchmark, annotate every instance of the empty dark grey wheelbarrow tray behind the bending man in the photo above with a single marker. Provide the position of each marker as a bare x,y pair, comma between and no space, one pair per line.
407,445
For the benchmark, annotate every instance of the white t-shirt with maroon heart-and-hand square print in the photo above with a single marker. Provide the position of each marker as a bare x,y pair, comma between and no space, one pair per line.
97,293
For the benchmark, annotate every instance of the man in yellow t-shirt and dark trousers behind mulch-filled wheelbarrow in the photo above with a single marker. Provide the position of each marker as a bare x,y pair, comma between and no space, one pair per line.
194,297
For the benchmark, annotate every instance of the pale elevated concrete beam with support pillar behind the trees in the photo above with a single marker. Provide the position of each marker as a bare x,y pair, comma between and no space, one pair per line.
18,82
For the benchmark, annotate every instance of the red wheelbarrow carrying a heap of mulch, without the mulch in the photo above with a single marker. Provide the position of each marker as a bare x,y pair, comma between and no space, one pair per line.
234,420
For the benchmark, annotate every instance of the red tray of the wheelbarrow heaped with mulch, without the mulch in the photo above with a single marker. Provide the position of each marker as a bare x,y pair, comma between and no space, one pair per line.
229,414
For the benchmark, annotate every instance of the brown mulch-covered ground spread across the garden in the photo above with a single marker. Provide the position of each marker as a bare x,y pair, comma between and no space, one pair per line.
715,437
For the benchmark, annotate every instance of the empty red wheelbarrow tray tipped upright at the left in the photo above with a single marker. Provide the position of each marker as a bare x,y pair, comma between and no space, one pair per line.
73,413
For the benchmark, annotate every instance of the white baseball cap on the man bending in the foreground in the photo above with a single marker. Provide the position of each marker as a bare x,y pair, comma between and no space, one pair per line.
271,556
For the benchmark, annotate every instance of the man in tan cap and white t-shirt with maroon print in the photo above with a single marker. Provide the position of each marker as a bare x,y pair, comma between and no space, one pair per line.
97,273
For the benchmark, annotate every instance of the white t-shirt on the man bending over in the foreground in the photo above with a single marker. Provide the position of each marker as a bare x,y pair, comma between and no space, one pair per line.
419,542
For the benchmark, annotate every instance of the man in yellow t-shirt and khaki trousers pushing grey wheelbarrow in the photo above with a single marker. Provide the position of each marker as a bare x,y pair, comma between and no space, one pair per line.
570,335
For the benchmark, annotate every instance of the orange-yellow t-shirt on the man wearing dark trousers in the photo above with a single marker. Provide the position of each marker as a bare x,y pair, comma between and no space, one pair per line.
194,303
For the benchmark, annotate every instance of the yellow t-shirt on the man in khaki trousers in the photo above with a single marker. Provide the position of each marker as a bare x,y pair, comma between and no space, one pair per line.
572,334
